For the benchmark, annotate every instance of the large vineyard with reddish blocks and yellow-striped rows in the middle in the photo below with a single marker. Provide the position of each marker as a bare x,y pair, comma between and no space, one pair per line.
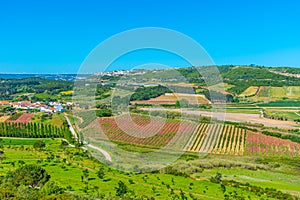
206,138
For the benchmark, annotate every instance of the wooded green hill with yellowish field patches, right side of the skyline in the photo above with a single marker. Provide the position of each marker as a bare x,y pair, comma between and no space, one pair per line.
240,81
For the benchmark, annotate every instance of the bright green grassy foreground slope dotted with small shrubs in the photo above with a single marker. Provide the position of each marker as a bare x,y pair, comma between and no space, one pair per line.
68,172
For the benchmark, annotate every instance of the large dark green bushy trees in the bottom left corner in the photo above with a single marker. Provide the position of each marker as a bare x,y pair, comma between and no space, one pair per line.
33,182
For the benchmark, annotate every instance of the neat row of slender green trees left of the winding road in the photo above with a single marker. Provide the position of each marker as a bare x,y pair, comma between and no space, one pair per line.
34,130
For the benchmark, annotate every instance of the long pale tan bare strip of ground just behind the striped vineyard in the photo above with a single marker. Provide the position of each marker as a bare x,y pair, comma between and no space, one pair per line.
236,117
